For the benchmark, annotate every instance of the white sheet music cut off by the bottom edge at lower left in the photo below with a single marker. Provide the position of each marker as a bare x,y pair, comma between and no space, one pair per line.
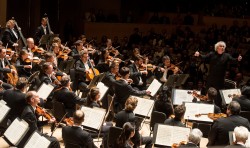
37,141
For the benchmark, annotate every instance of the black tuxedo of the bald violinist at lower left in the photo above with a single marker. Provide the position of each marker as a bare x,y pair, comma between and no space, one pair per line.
29,116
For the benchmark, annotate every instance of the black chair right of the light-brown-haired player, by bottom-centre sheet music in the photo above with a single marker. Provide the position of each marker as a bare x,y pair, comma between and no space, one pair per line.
156,117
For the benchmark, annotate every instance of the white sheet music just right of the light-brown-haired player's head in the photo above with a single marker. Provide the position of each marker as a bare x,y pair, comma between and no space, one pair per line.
144,107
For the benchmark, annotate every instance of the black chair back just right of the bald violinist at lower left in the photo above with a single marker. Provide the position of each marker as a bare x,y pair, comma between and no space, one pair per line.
58,110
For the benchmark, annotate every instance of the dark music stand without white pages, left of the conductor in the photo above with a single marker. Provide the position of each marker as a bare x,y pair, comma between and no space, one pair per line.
176,80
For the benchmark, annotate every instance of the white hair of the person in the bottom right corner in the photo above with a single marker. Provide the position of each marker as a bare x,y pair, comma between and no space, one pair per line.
241,133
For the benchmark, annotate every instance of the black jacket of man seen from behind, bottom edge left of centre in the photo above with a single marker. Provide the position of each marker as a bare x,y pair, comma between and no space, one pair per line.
76,135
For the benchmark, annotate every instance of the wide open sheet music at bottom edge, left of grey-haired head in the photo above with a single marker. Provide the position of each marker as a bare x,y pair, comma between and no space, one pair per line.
167,135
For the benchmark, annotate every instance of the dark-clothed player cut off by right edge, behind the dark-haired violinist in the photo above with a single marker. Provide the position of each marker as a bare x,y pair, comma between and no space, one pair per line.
244,99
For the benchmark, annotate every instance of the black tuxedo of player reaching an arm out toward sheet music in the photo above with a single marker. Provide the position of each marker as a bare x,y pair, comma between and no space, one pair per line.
122,92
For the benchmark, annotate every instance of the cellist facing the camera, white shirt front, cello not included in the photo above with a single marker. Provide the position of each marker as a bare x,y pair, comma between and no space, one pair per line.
82,68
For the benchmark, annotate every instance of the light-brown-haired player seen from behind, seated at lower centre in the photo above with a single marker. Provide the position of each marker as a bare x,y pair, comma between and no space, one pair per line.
127,115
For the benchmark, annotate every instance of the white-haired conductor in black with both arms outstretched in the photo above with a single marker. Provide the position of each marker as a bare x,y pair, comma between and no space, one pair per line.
218,61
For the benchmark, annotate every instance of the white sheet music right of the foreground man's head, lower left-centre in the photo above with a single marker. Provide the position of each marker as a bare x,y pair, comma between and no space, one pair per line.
93,117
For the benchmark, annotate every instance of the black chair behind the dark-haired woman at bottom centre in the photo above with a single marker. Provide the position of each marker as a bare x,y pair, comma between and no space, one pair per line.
114,133
